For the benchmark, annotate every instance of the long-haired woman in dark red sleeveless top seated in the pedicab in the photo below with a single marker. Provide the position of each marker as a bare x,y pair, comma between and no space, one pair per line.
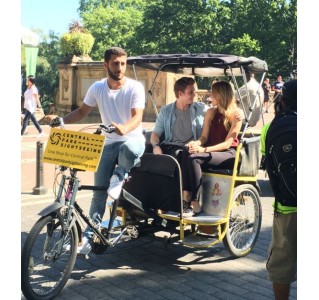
216,146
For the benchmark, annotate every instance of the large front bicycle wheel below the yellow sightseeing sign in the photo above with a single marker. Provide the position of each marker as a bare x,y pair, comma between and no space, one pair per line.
44,269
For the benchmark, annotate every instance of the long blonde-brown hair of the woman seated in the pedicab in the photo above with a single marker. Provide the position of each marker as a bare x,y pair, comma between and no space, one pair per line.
223,92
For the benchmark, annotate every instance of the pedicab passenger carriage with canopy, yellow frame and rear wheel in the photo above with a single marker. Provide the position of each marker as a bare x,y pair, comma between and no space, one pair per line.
208,228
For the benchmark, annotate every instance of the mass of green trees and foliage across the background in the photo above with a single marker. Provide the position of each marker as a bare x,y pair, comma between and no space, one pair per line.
264,28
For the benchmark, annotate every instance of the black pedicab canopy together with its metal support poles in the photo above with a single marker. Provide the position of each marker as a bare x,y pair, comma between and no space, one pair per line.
204,65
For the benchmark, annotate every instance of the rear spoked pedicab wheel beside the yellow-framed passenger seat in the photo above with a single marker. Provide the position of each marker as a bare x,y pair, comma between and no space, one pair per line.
244,221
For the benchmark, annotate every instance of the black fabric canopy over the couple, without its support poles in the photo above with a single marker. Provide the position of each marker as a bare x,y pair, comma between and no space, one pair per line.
199,64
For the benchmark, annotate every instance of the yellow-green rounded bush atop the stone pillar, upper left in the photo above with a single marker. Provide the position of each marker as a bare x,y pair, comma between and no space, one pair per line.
76,43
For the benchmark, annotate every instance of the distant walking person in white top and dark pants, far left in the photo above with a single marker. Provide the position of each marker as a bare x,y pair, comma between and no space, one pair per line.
31,102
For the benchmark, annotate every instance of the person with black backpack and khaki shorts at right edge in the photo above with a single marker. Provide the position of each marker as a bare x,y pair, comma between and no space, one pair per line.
281,139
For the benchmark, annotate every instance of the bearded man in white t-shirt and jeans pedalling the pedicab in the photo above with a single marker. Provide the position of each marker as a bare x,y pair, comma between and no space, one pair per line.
121,102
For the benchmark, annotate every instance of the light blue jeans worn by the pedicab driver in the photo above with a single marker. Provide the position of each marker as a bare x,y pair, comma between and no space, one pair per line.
117,158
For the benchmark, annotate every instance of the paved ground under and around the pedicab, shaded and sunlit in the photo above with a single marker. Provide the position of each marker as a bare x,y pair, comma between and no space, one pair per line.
146,268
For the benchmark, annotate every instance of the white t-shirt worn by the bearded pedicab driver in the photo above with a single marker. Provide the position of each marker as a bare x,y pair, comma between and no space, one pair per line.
115,105
